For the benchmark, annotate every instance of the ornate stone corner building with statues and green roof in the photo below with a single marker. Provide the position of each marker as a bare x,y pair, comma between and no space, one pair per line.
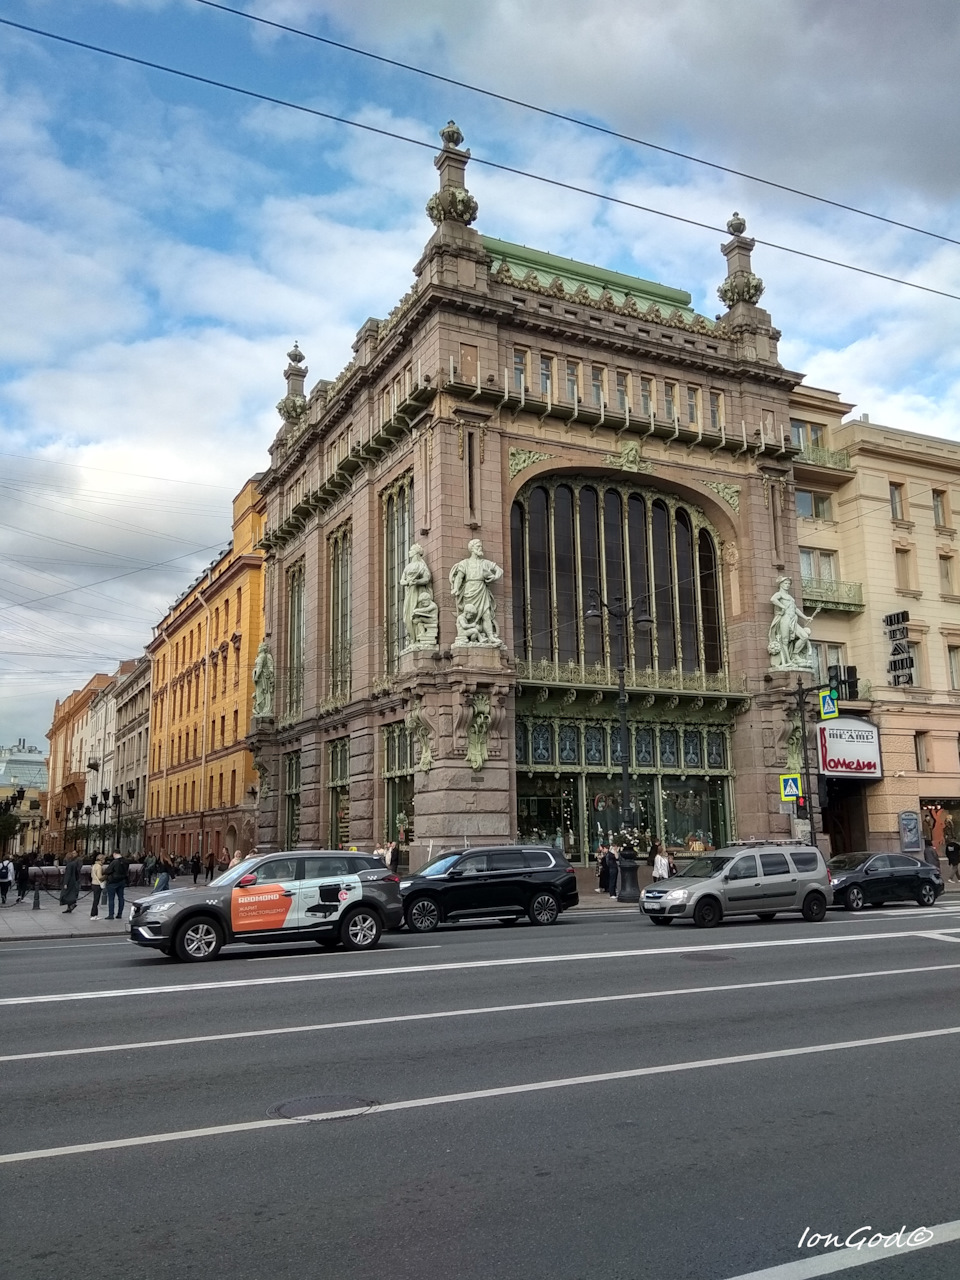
597,441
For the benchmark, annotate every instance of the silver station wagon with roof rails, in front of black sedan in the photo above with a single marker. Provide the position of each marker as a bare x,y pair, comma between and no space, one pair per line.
744,880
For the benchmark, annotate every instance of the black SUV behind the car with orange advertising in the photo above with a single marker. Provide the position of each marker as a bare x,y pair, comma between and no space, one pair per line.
501,884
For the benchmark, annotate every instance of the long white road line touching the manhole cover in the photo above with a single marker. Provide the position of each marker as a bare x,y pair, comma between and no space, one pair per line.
570,1082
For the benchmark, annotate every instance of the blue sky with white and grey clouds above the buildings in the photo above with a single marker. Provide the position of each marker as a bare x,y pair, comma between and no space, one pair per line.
163,243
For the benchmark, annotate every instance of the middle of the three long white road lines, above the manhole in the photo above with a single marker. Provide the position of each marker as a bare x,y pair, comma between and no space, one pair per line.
465,1013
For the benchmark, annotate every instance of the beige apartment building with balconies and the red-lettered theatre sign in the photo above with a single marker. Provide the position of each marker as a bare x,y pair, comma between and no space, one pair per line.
879,542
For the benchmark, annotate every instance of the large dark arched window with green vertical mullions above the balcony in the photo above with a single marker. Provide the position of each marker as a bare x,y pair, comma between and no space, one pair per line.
574,538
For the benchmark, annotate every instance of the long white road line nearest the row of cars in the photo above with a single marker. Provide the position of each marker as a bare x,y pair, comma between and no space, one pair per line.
344,975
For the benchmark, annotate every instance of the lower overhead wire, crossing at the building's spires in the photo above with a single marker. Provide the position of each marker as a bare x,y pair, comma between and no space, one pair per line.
488,164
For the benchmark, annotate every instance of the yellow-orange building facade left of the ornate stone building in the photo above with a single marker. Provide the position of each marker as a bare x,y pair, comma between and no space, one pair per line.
202,783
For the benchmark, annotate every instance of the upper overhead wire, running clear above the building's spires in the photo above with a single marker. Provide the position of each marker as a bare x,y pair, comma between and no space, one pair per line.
573,120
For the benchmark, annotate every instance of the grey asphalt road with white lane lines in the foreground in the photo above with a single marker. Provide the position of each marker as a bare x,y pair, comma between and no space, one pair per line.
596,1101
